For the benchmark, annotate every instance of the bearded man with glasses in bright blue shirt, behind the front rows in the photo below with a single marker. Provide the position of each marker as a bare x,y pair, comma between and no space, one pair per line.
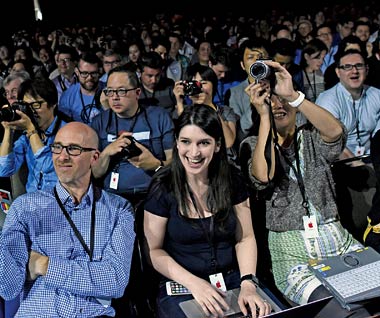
81,101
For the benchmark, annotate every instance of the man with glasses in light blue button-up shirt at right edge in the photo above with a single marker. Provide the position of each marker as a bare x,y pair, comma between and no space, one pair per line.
356,105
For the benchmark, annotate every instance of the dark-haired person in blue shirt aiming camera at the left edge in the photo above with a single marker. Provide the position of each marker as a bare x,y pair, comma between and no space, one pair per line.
34,115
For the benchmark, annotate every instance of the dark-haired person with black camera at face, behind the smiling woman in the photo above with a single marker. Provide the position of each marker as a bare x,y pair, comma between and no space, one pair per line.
200,87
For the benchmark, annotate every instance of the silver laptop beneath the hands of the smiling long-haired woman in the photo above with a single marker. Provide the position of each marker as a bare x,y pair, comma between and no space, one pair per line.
192,309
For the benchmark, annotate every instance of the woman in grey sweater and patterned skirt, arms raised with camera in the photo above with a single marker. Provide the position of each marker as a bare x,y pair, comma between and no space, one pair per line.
290,167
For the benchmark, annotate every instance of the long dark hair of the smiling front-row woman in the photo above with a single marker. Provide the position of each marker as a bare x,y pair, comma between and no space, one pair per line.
220,185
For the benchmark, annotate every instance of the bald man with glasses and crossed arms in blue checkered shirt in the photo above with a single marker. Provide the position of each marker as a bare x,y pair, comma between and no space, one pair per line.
67,249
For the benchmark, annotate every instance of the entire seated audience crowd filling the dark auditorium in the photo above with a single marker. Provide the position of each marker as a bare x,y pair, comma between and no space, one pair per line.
178,149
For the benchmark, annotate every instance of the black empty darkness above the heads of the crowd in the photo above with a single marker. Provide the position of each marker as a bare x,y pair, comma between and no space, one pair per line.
89,12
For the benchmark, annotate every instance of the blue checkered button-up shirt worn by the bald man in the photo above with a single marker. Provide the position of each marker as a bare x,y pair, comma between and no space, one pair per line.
73,284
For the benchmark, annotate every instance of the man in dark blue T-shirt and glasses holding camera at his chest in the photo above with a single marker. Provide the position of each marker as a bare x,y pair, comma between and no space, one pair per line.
135,140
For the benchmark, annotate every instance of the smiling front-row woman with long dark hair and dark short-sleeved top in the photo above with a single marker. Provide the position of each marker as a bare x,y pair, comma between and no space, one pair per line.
197,222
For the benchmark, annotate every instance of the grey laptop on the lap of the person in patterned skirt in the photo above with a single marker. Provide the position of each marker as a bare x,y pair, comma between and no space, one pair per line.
351,277
